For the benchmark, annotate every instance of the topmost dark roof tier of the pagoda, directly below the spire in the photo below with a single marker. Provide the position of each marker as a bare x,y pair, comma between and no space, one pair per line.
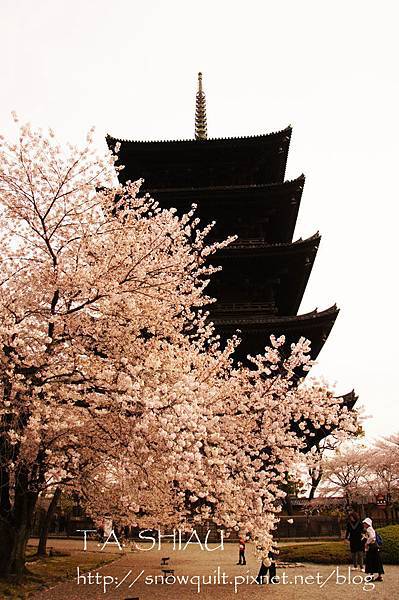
203,162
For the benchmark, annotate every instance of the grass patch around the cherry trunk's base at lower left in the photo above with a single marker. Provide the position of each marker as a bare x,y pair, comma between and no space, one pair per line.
47,572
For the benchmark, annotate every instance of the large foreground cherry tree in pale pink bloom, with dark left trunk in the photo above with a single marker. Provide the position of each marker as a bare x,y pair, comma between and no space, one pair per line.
112,381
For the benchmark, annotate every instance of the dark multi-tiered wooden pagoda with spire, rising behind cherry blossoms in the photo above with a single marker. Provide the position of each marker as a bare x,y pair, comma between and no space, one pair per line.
240,184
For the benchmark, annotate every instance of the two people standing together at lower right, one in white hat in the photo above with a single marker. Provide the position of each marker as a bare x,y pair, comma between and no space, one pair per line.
363,541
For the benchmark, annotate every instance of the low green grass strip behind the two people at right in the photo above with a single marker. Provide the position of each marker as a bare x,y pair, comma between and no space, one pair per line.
338,553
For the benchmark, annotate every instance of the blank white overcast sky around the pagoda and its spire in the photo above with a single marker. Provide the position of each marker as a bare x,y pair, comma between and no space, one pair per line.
328,68
